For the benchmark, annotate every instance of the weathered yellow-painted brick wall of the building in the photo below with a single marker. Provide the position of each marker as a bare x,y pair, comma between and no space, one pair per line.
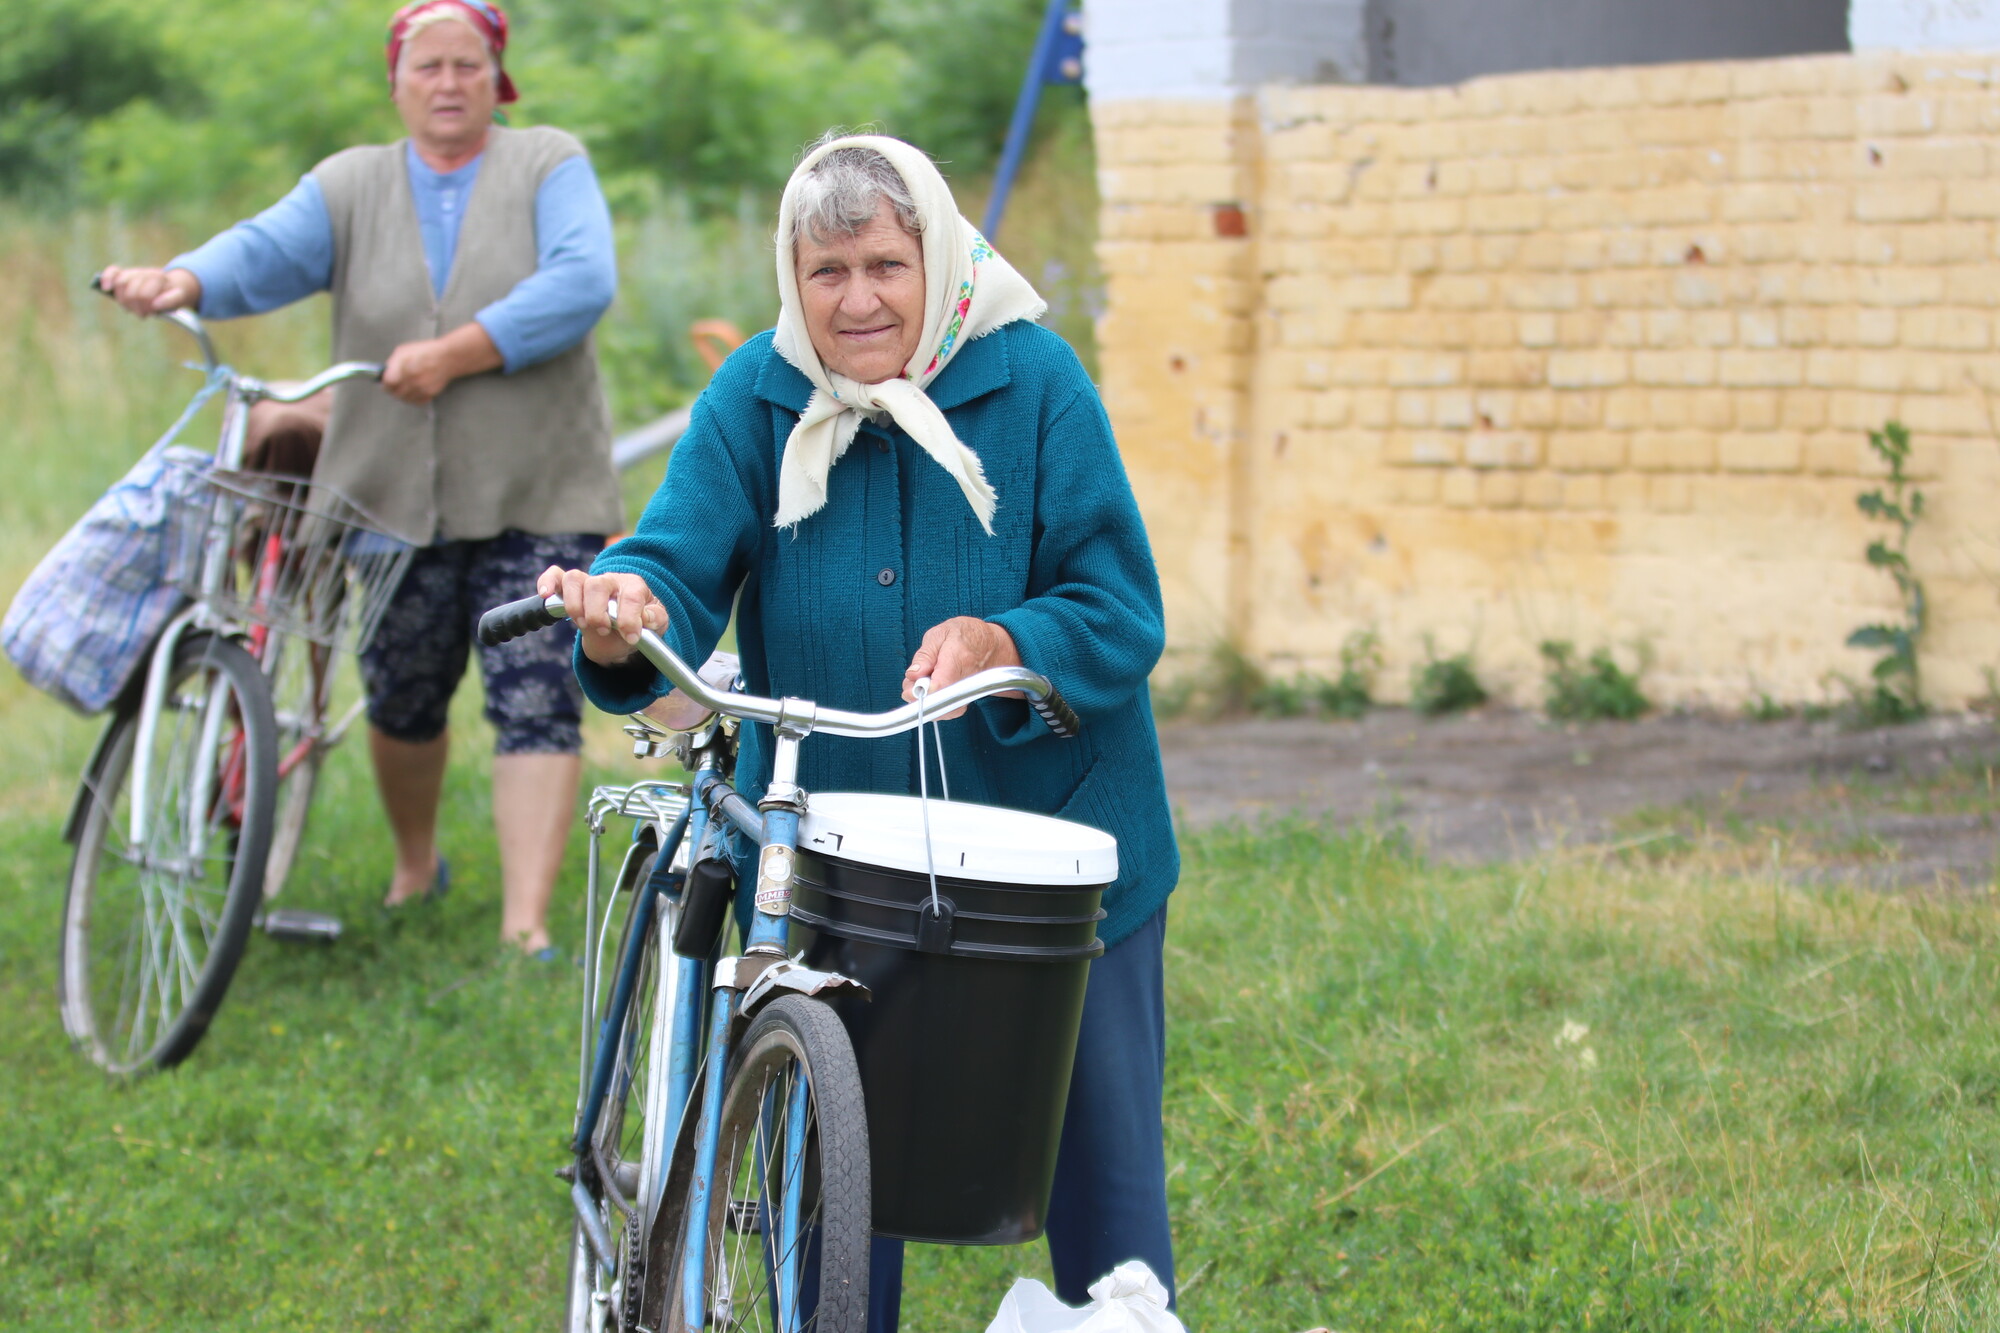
1581,355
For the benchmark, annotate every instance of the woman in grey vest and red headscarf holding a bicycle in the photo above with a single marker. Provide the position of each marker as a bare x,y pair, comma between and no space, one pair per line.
473,261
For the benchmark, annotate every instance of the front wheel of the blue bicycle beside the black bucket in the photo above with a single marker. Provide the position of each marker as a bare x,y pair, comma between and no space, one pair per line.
745,1290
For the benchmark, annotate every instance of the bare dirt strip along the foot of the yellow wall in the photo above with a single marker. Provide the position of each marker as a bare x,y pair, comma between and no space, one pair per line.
1901,806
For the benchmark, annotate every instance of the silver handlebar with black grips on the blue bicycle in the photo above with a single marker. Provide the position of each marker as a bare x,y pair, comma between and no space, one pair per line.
533,613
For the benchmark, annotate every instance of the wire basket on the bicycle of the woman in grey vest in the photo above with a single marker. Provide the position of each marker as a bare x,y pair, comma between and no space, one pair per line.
297,557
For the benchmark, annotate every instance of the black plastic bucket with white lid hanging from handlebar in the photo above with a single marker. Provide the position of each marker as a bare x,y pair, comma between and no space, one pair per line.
969,1034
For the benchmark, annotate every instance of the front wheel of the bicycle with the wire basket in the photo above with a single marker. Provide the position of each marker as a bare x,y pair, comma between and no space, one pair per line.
153,930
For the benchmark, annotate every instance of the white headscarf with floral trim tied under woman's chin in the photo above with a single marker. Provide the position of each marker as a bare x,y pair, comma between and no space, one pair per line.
969,291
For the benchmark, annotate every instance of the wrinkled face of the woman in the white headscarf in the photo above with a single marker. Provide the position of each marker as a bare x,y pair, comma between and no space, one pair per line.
863,297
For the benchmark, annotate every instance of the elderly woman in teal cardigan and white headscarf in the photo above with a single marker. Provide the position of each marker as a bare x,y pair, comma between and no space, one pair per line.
911,477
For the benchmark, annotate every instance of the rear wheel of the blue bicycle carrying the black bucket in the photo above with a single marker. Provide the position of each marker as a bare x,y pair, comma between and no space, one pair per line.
633,1128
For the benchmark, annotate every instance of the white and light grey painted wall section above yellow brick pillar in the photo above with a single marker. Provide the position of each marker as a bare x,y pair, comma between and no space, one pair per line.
1217,49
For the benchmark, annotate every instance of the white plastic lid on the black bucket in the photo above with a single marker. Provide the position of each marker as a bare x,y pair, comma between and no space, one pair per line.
969,842
